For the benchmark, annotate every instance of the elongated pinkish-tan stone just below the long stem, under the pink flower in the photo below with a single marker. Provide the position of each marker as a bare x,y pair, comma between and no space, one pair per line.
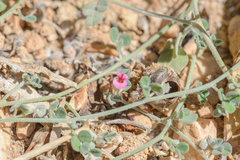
140,118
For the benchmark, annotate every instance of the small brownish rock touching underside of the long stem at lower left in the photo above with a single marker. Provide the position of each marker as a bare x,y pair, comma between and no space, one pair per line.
25,129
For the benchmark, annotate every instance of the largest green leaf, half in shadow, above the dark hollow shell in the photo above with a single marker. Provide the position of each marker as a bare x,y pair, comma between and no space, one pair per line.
178,63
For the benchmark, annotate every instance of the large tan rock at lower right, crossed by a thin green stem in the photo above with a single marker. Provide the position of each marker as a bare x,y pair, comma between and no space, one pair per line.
196,131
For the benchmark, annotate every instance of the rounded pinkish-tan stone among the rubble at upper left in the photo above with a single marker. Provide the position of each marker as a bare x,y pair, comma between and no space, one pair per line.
34,41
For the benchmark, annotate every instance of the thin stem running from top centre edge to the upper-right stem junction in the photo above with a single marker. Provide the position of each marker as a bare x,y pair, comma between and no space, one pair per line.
117,2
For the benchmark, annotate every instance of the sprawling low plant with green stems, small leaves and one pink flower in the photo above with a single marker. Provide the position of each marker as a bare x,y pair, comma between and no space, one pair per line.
172,55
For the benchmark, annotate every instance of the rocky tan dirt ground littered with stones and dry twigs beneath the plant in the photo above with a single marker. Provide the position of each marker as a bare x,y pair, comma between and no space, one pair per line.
65,51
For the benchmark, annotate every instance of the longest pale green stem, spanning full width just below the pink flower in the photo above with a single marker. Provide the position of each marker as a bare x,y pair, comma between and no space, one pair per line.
120,109
